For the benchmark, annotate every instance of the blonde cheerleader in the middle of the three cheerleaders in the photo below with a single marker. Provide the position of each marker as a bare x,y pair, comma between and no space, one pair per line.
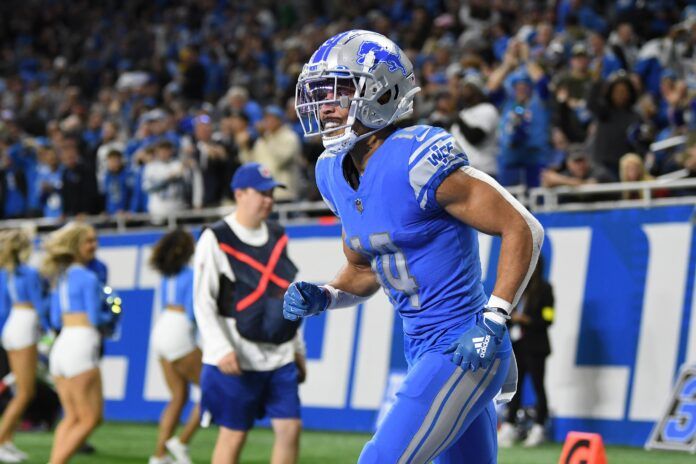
77,300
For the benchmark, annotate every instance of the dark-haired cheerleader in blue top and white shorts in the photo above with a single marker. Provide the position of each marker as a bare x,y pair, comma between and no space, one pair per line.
173,339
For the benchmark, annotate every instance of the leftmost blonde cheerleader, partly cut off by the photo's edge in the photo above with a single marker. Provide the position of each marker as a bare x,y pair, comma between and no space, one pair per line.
24,308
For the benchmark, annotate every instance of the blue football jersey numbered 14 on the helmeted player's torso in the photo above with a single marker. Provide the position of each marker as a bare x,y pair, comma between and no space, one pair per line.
426,260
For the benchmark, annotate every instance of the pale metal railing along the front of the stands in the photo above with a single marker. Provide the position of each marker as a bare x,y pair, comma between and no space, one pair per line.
311,212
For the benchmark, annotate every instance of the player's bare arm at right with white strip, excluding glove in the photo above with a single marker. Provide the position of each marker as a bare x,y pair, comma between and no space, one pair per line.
476,199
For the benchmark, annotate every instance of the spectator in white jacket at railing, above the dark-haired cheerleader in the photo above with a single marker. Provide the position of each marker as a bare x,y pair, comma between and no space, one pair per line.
165,181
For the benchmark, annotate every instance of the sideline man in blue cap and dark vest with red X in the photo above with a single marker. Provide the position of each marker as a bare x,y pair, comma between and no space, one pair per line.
253,359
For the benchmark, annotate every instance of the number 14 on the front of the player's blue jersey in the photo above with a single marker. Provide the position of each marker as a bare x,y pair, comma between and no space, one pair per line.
389,259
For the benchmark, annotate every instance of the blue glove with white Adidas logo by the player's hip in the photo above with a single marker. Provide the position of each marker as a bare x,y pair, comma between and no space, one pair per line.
478,346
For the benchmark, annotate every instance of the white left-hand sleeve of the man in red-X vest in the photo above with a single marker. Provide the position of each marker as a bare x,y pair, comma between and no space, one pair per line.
209,263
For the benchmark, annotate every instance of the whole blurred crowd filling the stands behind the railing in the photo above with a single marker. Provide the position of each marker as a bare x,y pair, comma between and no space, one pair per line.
120,107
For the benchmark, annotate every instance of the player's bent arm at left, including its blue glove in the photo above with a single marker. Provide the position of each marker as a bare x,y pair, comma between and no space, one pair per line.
354,284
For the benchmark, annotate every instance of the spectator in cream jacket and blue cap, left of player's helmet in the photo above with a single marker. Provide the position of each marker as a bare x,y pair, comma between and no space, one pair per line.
277,148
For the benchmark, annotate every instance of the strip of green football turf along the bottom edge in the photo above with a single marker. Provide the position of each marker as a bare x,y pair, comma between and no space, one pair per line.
121,443
